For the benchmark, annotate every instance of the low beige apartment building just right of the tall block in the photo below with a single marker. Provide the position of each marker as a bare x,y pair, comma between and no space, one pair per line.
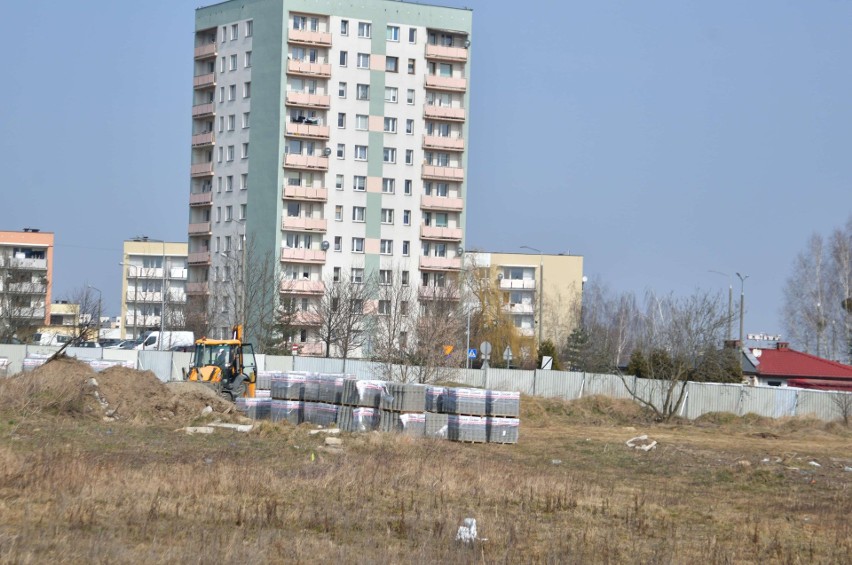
542,293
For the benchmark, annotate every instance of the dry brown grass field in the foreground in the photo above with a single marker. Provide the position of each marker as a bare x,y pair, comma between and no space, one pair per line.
75,488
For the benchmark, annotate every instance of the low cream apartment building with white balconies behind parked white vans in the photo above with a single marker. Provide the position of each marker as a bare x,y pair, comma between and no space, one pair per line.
154,275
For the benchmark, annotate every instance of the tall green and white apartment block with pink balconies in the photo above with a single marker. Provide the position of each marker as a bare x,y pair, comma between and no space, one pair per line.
332,136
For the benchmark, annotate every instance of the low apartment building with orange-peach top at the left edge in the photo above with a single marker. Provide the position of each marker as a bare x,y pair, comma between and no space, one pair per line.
26,277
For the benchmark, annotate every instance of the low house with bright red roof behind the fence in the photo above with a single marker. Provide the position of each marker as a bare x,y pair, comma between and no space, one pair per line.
782,366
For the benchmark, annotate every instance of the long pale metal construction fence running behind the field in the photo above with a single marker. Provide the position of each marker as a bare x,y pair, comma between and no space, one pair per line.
698,399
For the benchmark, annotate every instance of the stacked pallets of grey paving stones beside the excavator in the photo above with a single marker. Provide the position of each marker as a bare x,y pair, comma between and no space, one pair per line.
457,414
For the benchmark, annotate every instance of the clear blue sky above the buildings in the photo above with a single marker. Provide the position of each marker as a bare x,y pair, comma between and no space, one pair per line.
660,140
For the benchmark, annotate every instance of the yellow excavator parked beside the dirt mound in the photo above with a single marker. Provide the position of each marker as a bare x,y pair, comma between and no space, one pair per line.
226,365
